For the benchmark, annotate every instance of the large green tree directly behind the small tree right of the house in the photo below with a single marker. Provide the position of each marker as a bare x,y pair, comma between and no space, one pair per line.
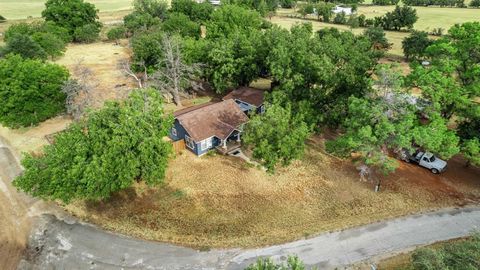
320,71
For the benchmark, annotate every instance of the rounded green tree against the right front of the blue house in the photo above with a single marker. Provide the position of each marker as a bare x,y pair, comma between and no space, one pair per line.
277,136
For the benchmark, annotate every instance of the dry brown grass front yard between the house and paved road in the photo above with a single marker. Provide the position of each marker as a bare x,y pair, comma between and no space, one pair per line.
217,201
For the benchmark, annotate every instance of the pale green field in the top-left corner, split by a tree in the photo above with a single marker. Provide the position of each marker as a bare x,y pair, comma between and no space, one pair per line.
22,9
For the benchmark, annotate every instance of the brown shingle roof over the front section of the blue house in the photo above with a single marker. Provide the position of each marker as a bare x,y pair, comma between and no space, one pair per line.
211,119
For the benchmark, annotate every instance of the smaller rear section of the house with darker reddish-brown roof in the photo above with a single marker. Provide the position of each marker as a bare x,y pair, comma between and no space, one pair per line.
248,99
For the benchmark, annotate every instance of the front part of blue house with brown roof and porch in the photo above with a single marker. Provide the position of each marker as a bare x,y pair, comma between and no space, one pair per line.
208,126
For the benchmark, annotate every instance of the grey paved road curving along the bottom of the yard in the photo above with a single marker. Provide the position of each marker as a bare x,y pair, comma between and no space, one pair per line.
64,244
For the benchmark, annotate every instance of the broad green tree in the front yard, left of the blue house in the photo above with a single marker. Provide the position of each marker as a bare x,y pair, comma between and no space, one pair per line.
103,153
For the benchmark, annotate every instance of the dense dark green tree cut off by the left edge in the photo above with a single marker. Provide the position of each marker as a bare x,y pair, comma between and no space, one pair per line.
30,91
